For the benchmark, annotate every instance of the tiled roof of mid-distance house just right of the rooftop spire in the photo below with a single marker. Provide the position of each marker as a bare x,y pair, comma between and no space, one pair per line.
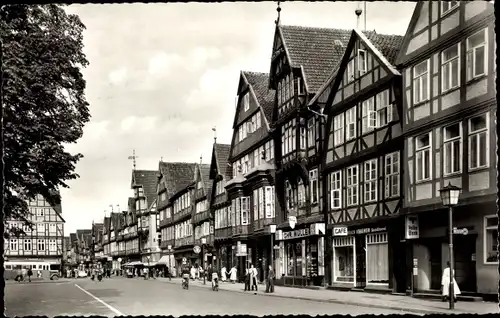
177,175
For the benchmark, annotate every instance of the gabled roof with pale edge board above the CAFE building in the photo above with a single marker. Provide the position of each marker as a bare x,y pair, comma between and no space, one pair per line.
385,47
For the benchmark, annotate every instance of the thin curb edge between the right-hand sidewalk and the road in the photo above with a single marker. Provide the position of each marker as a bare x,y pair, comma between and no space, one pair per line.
334,301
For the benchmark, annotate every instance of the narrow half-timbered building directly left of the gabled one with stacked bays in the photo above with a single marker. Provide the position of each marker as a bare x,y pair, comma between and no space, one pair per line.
220,207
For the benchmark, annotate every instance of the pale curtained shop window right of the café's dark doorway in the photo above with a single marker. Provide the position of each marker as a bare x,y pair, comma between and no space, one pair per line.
377,257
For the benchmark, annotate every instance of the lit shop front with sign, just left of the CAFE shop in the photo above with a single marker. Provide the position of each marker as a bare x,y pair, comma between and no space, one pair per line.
300,259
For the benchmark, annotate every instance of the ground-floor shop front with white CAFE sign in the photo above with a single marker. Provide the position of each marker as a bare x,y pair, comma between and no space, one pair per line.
361,257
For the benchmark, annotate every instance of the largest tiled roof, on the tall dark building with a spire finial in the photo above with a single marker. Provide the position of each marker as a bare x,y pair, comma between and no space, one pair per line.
315,50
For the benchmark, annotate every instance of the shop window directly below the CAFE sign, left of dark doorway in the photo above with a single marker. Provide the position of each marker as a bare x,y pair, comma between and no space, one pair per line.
344,259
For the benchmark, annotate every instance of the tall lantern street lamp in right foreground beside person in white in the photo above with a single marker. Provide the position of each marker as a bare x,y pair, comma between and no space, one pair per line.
449,196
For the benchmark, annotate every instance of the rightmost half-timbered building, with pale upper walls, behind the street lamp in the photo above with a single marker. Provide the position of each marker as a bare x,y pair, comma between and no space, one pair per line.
449,70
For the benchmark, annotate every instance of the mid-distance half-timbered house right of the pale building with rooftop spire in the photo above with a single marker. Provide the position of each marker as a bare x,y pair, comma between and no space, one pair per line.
175,182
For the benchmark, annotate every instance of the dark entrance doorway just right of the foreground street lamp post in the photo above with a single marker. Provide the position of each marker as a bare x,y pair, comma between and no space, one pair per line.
465,263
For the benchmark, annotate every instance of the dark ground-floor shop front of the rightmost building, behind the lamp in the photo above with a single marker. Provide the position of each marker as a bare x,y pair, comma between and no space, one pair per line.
475,237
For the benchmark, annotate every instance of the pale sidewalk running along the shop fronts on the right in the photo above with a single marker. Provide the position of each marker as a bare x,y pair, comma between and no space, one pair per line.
404,303
